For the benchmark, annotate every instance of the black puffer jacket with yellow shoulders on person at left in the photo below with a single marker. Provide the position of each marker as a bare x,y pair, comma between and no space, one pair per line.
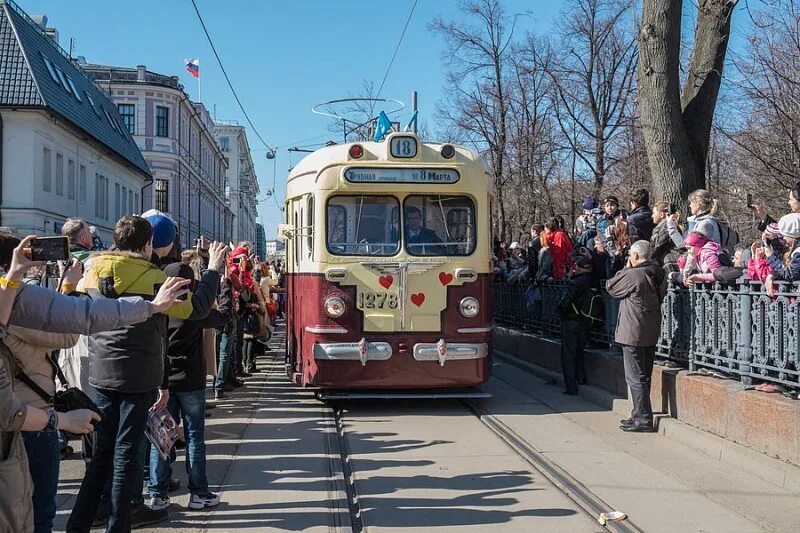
129,359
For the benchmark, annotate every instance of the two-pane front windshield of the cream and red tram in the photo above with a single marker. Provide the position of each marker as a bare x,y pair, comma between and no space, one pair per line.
370,225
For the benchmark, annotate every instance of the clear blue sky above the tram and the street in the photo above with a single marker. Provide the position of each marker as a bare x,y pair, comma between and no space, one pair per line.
283,57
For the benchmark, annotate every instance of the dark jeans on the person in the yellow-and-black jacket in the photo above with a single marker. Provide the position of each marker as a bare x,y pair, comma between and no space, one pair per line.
119,436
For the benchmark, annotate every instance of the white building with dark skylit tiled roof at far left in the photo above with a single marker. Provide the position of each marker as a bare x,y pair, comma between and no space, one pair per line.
64,149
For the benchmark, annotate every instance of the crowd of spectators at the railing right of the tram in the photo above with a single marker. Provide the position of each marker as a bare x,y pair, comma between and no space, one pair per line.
633,253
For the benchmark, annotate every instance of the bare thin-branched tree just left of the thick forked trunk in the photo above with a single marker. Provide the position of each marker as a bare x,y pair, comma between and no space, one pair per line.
594,80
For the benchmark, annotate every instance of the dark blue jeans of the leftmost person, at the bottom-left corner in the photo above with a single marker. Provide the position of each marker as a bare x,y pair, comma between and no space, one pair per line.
44,459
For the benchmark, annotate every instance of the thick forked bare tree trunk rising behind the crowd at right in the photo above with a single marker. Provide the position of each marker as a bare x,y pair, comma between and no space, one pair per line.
677,124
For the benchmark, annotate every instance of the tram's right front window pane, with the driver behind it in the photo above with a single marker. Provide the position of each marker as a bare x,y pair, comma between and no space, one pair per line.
439,225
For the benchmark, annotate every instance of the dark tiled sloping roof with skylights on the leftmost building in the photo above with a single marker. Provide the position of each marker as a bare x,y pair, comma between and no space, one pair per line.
36,73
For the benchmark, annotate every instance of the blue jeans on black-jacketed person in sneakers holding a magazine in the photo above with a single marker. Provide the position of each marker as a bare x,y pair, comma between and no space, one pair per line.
192,406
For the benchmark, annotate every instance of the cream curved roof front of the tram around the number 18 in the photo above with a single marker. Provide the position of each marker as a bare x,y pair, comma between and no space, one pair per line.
376,152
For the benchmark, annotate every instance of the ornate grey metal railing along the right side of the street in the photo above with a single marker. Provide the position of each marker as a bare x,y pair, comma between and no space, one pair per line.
737,330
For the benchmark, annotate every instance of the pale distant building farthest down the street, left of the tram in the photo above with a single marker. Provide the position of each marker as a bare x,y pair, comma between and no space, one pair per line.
241,186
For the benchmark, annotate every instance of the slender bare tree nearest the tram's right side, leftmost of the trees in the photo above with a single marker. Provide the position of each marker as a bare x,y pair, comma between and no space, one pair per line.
477,57
